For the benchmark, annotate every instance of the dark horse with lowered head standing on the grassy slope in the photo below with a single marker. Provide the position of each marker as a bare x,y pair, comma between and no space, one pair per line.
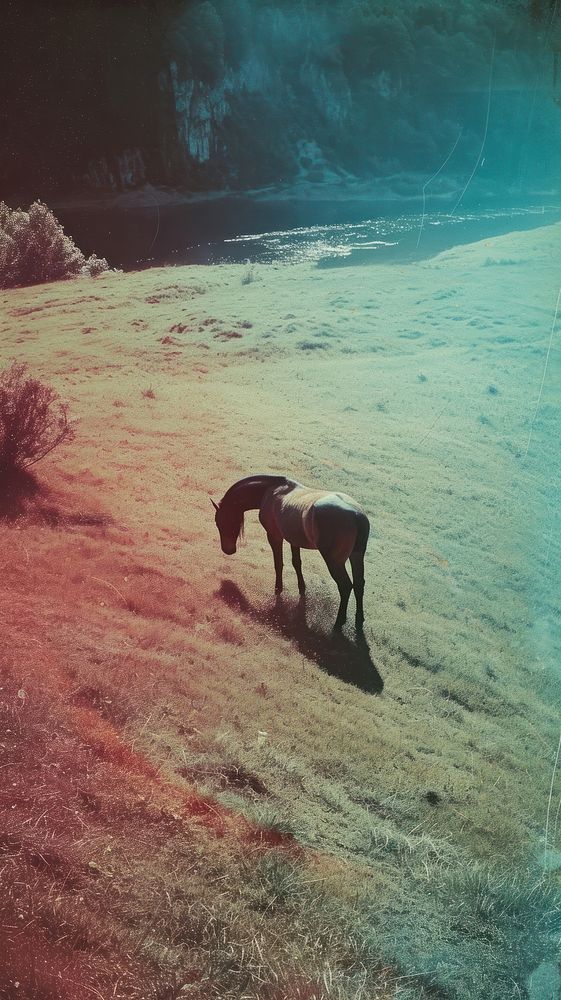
306,518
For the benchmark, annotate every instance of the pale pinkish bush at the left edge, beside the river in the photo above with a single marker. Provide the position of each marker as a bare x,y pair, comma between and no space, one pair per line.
34,248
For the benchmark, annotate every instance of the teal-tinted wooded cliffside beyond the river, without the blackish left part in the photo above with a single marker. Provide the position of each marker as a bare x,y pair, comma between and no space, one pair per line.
364,87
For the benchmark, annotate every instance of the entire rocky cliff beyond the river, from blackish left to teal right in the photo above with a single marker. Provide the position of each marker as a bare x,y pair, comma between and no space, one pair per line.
237,94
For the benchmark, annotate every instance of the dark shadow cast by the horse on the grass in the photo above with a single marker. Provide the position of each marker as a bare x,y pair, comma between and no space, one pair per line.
332,652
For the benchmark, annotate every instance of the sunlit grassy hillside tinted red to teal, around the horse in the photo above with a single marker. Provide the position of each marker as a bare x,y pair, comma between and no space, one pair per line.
204,793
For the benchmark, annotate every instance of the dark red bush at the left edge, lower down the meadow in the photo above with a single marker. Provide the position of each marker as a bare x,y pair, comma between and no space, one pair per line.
32,420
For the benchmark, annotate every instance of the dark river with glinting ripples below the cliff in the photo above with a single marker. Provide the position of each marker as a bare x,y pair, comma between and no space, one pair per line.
330,233
